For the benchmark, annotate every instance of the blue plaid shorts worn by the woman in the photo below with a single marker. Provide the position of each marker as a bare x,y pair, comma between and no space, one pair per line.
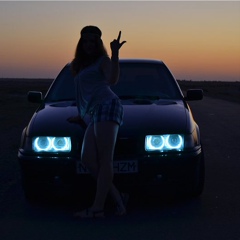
111,110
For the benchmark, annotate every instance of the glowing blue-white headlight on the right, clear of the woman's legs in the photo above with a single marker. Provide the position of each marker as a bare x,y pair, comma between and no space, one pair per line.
164,142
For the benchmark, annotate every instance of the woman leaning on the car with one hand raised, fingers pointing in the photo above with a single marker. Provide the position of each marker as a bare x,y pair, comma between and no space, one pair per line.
94,73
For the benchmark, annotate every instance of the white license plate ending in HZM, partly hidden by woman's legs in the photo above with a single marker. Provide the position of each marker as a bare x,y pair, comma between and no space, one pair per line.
120,167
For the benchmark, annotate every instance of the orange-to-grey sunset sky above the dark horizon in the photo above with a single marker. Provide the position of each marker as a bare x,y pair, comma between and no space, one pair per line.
197,40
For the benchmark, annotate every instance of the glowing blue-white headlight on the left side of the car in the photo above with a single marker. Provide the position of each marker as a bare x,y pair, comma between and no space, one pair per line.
51,144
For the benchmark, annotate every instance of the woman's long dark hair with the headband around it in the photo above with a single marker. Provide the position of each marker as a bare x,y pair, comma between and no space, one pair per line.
81,59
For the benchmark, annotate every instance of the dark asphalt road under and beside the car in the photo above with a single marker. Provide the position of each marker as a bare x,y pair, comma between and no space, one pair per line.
214,215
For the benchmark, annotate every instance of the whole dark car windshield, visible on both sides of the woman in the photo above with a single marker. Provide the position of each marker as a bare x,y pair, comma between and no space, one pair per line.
137,80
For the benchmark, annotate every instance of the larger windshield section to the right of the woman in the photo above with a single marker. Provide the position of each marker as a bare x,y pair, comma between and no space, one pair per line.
146,80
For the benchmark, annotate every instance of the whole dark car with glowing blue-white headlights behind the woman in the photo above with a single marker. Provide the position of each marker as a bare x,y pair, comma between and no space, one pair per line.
158,147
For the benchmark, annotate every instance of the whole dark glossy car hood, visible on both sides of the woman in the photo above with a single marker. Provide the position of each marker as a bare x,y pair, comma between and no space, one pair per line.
159,117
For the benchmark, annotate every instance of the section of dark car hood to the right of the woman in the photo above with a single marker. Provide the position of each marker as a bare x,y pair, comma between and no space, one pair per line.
159,117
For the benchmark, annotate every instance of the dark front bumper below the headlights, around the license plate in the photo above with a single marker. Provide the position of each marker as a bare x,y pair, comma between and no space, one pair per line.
155,172
